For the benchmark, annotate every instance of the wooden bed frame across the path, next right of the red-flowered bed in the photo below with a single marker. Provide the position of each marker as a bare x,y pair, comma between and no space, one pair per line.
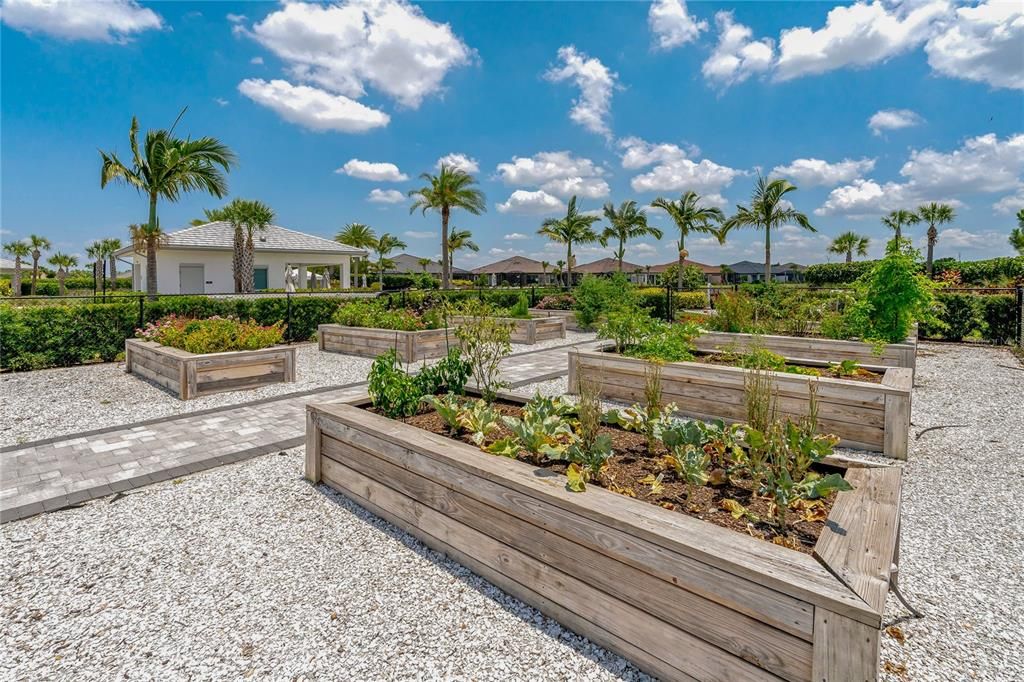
411,347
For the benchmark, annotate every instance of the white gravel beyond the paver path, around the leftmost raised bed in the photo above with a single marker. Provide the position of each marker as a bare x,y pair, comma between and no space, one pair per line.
52,403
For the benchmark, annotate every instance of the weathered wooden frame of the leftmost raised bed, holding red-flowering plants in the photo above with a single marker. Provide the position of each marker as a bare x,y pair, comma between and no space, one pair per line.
195,375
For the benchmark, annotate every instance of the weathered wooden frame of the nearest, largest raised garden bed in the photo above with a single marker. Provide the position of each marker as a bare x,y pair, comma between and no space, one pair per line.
682,599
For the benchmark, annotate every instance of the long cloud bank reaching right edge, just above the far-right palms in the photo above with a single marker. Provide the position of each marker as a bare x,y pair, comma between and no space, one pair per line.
982,165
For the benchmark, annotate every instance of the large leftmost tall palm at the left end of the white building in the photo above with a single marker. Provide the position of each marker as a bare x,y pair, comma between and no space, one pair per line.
167,167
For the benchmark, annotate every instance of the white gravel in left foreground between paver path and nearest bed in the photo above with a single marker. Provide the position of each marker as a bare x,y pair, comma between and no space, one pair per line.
250,572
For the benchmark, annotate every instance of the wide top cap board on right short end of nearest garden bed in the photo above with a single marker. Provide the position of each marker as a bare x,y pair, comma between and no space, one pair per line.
860,541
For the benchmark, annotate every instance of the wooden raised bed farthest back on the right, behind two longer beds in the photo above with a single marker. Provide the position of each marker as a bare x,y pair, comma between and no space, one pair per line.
814,350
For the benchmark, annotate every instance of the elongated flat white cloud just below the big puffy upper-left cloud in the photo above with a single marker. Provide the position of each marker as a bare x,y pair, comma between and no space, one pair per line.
313,108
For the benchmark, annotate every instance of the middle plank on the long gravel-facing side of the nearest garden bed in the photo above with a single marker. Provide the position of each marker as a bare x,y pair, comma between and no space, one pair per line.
763,646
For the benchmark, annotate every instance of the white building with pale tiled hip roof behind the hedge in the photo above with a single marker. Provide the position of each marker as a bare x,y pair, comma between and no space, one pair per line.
198,261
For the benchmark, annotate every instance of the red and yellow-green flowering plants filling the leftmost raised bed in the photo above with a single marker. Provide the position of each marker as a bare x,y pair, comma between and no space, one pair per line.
211,336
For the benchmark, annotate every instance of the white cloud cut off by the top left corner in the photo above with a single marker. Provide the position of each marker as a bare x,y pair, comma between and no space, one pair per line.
109,22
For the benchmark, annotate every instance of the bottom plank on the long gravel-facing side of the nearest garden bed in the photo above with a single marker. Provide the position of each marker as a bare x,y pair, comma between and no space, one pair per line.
680,650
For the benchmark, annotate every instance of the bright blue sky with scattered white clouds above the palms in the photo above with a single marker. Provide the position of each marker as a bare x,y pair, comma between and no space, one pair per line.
334,110
